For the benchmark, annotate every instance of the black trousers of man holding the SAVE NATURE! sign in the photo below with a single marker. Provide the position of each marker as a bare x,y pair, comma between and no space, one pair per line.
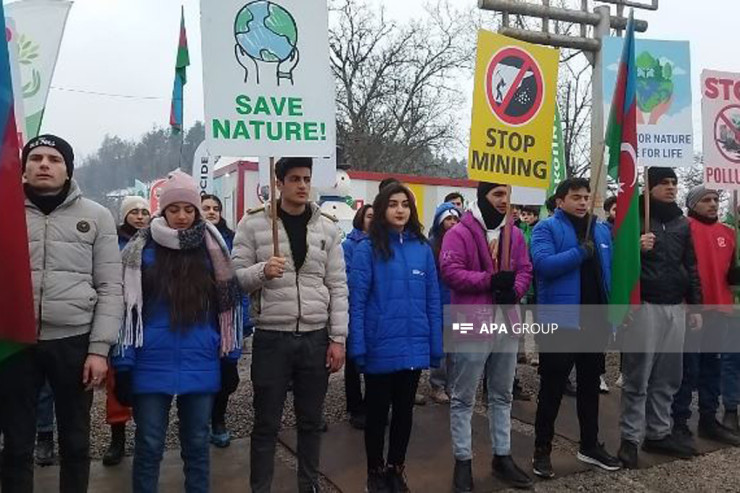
278,358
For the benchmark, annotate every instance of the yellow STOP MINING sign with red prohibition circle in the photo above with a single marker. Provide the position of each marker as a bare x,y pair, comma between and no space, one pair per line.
513,111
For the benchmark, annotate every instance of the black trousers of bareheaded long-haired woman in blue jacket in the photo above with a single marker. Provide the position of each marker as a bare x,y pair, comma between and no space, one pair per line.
383,392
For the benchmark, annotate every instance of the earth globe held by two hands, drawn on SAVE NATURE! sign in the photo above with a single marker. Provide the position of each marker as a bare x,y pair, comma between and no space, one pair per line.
266,33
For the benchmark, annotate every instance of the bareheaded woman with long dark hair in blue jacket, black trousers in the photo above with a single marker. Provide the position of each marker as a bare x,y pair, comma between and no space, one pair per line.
395,328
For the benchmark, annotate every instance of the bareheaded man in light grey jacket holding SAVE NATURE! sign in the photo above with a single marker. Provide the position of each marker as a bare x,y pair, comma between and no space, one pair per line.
299,308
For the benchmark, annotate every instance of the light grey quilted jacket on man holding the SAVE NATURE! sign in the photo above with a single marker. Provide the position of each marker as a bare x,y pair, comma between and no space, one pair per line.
311,299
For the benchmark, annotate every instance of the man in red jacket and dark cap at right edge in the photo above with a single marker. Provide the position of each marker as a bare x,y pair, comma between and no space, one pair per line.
714,244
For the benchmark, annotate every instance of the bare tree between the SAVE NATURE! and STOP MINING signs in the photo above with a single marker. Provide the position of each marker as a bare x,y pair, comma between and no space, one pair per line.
395,99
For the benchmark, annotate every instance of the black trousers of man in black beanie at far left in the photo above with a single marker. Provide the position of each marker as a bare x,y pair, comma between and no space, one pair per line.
21,377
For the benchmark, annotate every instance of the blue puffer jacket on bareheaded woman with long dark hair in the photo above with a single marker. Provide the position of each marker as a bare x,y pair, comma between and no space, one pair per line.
395,313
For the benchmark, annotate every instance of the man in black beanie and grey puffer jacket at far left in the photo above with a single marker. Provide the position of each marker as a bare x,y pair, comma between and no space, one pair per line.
76,274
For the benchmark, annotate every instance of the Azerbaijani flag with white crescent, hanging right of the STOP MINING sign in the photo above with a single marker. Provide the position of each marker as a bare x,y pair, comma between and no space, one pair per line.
621,139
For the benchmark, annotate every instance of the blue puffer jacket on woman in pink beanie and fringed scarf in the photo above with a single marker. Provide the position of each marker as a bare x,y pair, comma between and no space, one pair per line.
172,362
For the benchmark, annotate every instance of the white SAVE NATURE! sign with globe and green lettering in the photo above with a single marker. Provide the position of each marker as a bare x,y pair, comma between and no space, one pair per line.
268,86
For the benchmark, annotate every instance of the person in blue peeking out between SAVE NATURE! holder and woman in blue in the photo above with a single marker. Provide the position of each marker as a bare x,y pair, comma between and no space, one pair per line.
352,383
